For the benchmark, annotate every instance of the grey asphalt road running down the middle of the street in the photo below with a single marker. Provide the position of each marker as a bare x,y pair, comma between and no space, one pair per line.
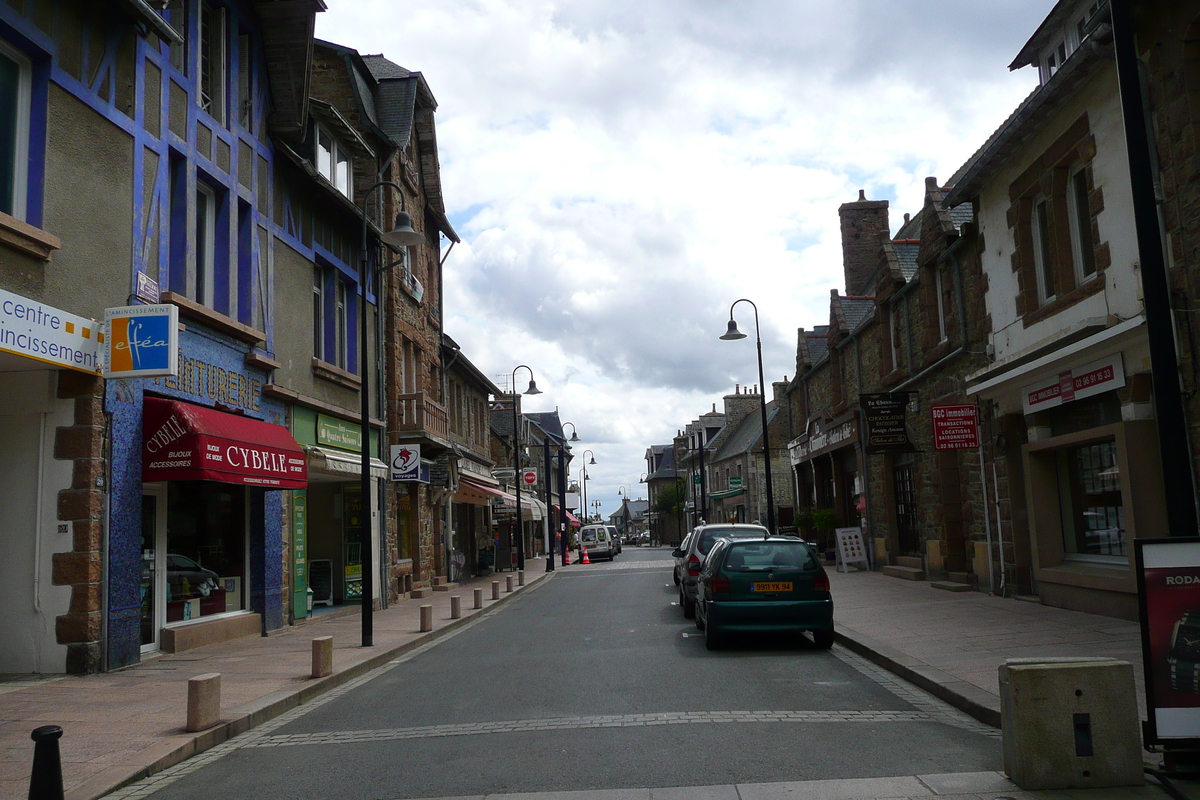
595,681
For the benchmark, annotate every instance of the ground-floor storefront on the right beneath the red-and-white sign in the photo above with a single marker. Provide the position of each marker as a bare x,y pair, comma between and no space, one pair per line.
1088,448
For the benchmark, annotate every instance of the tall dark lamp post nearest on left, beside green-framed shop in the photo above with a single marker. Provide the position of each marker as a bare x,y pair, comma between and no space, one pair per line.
401,236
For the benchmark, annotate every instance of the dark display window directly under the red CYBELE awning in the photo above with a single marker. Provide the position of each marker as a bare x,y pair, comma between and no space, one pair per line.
207,550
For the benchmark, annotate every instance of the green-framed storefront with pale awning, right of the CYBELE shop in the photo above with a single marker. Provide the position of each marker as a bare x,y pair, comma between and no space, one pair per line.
327,518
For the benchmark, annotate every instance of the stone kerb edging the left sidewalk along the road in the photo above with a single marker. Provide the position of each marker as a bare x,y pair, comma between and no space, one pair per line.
277,703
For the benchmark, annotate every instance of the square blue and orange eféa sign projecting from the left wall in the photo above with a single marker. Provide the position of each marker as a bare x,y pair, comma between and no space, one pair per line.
142,342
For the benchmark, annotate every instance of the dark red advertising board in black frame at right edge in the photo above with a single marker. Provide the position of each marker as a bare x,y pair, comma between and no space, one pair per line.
1169,593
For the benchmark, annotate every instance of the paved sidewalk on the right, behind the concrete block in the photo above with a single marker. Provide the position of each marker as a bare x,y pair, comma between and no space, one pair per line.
951,645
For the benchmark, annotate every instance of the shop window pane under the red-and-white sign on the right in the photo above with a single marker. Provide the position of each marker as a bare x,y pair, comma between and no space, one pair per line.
1091,504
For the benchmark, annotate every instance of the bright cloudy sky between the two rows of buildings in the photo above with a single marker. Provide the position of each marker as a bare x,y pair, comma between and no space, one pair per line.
622,171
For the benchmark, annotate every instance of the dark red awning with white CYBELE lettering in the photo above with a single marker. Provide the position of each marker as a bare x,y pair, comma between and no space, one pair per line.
182,442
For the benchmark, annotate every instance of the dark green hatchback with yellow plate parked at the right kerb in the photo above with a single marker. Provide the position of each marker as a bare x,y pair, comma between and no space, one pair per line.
771,585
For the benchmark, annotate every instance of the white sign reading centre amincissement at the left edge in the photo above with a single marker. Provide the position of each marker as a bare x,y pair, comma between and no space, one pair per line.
34,330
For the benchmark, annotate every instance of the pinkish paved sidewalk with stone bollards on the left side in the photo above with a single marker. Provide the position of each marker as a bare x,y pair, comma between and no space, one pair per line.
127,725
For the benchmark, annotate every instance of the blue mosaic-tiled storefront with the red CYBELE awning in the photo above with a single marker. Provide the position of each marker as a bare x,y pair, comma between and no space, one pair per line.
200,465
